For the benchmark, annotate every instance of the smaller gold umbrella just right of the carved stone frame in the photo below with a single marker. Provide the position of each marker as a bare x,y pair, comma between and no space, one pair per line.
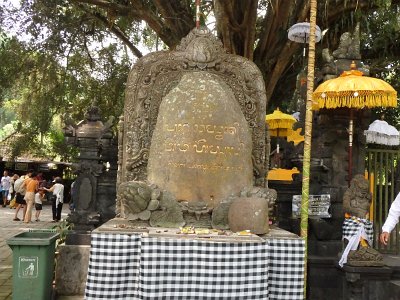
279,124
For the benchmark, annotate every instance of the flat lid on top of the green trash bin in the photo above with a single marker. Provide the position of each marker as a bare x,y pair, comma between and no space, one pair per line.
32,238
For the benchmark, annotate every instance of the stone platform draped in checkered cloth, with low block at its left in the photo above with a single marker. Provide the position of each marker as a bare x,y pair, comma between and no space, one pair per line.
133,261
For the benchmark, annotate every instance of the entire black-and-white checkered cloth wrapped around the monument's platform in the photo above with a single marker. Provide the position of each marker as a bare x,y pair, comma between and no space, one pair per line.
161,268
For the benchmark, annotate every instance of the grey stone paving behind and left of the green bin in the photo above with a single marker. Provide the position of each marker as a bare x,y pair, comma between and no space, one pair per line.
8,229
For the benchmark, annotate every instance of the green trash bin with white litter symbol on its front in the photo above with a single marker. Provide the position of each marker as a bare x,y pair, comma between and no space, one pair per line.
33,264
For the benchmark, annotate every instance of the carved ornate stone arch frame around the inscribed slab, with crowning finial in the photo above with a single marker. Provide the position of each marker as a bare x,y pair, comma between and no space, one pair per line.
155,74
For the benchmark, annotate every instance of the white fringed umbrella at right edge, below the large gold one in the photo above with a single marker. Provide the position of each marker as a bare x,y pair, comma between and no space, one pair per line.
380,132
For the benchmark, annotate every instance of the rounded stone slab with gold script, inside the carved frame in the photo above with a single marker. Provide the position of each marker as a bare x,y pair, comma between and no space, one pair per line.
201,146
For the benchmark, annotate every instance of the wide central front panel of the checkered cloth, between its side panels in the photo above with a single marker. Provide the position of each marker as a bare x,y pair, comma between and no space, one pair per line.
192,269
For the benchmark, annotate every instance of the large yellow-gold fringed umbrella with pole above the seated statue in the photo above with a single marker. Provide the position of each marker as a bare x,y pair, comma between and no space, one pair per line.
353,90
